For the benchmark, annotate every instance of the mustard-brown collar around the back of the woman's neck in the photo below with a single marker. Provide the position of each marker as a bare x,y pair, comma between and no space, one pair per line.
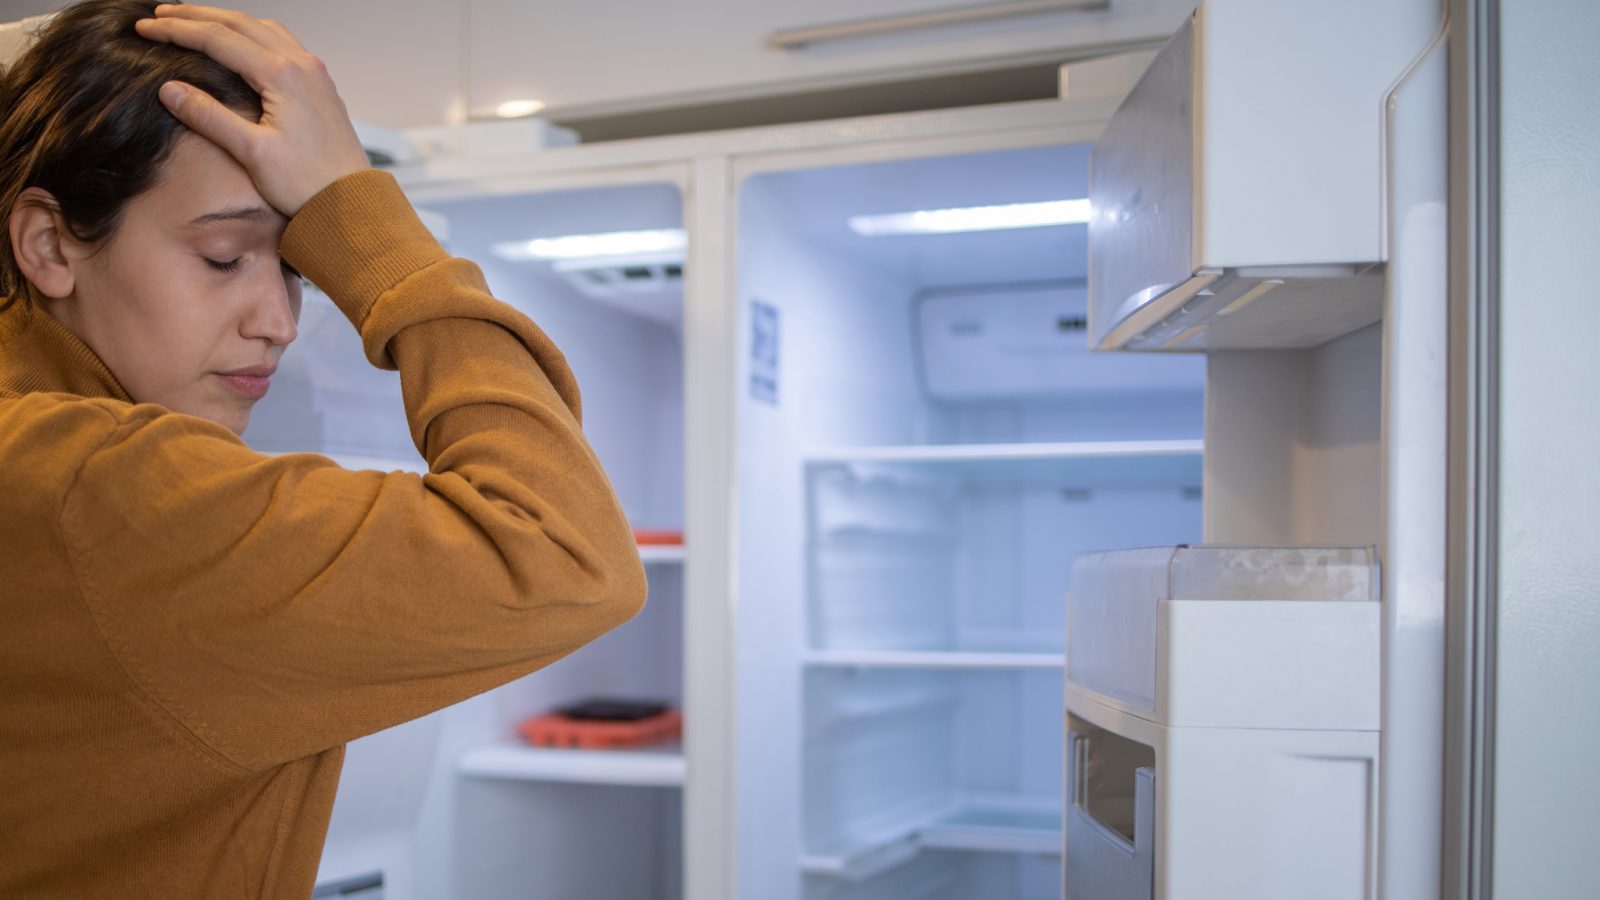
39,355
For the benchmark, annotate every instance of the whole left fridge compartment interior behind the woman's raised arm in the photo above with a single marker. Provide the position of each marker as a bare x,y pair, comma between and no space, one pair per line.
561,822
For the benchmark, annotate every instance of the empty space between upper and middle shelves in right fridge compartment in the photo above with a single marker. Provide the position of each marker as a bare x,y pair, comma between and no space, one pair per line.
970,555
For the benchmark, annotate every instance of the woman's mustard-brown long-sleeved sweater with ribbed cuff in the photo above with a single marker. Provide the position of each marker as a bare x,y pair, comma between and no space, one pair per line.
191,632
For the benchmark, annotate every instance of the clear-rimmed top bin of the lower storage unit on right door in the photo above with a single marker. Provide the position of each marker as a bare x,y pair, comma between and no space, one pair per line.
1230,637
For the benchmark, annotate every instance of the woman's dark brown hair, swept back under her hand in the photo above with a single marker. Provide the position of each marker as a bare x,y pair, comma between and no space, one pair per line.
81,119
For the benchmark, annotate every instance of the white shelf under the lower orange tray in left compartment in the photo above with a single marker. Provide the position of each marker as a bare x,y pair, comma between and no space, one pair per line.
657,766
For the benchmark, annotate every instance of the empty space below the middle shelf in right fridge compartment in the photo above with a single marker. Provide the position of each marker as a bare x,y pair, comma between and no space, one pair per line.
903,761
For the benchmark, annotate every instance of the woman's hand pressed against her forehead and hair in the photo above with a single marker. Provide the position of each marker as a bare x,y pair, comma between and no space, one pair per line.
305,140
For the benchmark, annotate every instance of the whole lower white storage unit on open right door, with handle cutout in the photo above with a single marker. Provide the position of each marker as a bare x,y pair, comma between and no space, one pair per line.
1223,725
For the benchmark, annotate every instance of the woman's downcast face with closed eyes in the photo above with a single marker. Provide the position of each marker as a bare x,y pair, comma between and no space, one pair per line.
190,303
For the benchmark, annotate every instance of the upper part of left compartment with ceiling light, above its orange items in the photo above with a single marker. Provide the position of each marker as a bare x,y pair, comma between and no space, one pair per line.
626,352
